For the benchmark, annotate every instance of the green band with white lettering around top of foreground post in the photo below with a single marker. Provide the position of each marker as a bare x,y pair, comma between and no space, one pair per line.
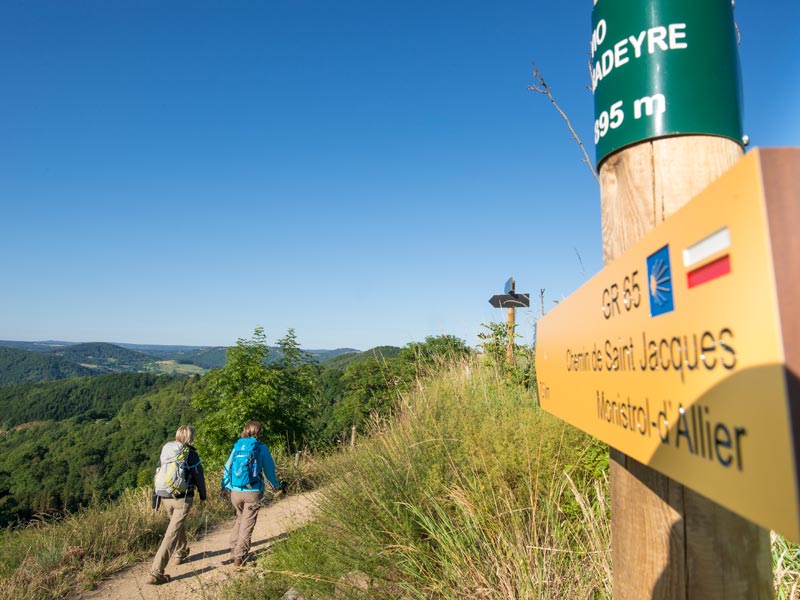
661,68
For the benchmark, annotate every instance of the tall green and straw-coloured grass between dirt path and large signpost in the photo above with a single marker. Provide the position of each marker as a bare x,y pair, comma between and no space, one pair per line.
469,491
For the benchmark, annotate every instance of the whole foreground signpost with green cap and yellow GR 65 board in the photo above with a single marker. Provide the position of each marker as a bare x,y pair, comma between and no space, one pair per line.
682,353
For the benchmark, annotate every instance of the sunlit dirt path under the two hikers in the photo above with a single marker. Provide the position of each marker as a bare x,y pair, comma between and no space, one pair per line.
210,564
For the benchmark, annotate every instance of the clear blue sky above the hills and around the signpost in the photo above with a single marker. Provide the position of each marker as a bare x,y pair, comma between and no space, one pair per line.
365,172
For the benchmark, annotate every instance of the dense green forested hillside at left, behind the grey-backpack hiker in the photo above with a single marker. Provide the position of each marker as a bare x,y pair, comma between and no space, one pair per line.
64,444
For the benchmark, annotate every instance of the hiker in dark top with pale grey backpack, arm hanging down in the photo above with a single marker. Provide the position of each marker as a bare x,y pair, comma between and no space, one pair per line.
178,476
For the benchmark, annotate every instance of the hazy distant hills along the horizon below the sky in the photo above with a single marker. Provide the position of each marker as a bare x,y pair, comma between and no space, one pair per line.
29,362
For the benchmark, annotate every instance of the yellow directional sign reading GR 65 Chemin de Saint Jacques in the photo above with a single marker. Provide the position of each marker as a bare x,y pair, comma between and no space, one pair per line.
675,353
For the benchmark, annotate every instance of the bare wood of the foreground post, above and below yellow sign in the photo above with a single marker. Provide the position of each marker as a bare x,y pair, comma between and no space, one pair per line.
668,541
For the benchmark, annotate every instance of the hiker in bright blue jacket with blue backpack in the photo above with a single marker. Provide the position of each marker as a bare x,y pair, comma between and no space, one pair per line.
243,481
